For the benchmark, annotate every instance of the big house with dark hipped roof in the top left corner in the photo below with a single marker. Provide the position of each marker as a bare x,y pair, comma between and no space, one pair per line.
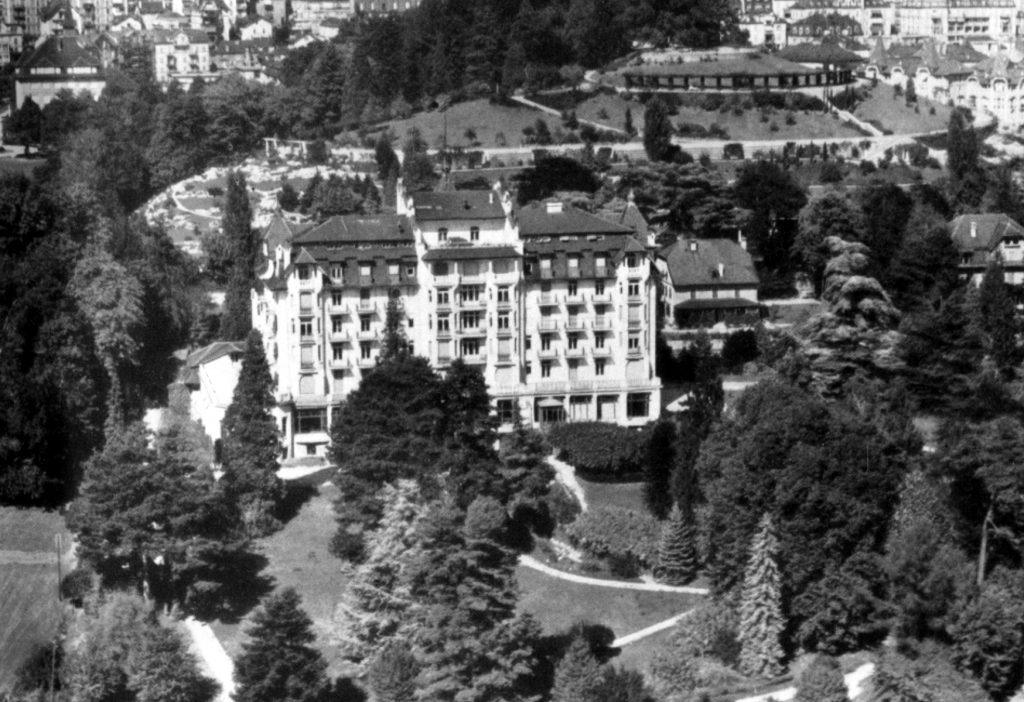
58,64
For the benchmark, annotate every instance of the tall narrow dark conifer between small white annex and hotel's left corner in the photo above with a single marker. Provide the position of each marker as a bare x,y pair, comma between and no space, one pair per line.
251,443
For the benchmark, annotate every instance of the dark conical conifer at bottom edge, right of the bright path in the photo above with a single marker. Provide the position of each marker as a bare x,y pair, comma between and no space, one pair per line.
279,663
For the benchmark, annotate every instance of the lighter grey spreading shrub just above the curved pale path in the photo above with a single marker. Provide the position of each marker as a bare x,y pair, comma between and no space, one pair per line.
614,533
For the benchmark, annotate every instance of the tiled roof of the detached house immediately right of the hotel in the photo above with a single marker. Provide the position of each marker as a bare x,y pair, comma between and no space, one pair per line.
709,262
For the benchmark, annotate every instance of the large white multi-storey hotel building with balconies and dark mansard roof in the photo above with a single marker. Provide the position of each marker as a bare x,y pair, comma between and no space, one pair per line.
556,305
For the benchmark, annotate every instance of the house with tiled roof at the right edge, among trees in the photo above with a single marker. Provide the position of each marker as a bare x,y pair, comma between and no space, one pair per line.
980,239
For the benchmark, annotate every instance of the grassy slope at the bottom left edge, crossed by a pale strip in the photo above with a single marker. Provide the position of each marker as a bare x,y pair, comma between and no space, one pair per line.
29,610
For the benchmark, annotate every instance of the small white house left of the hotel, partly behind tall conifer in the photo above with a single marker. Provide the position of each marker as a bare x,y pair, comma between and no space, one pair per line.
210,375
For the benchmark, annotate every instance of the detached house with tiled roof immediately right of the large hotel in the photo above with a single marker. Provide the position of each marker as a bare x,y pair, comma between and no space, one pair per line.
708,282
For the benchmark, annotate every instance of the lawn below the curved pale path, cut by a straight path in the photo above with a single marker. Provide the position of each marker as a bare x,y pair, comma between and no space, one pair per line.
559,604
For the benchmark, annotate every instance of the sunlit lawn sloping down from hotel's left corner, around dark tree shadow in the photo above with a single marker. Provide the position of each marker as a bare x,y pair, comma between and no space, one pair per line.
298,558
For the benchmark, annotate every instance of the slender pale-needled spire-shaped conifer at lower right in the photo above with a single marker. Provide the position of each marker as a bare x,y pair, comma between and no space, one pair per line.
761,622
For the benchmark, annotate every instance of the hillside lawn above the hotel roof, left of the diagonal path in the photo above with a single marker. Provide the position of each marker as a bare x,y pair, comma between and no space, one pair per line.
489,121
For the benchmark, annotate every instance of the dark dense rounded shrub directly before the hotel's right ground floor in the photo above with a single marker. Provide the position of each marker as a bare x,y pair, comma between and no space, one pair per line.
601,451
